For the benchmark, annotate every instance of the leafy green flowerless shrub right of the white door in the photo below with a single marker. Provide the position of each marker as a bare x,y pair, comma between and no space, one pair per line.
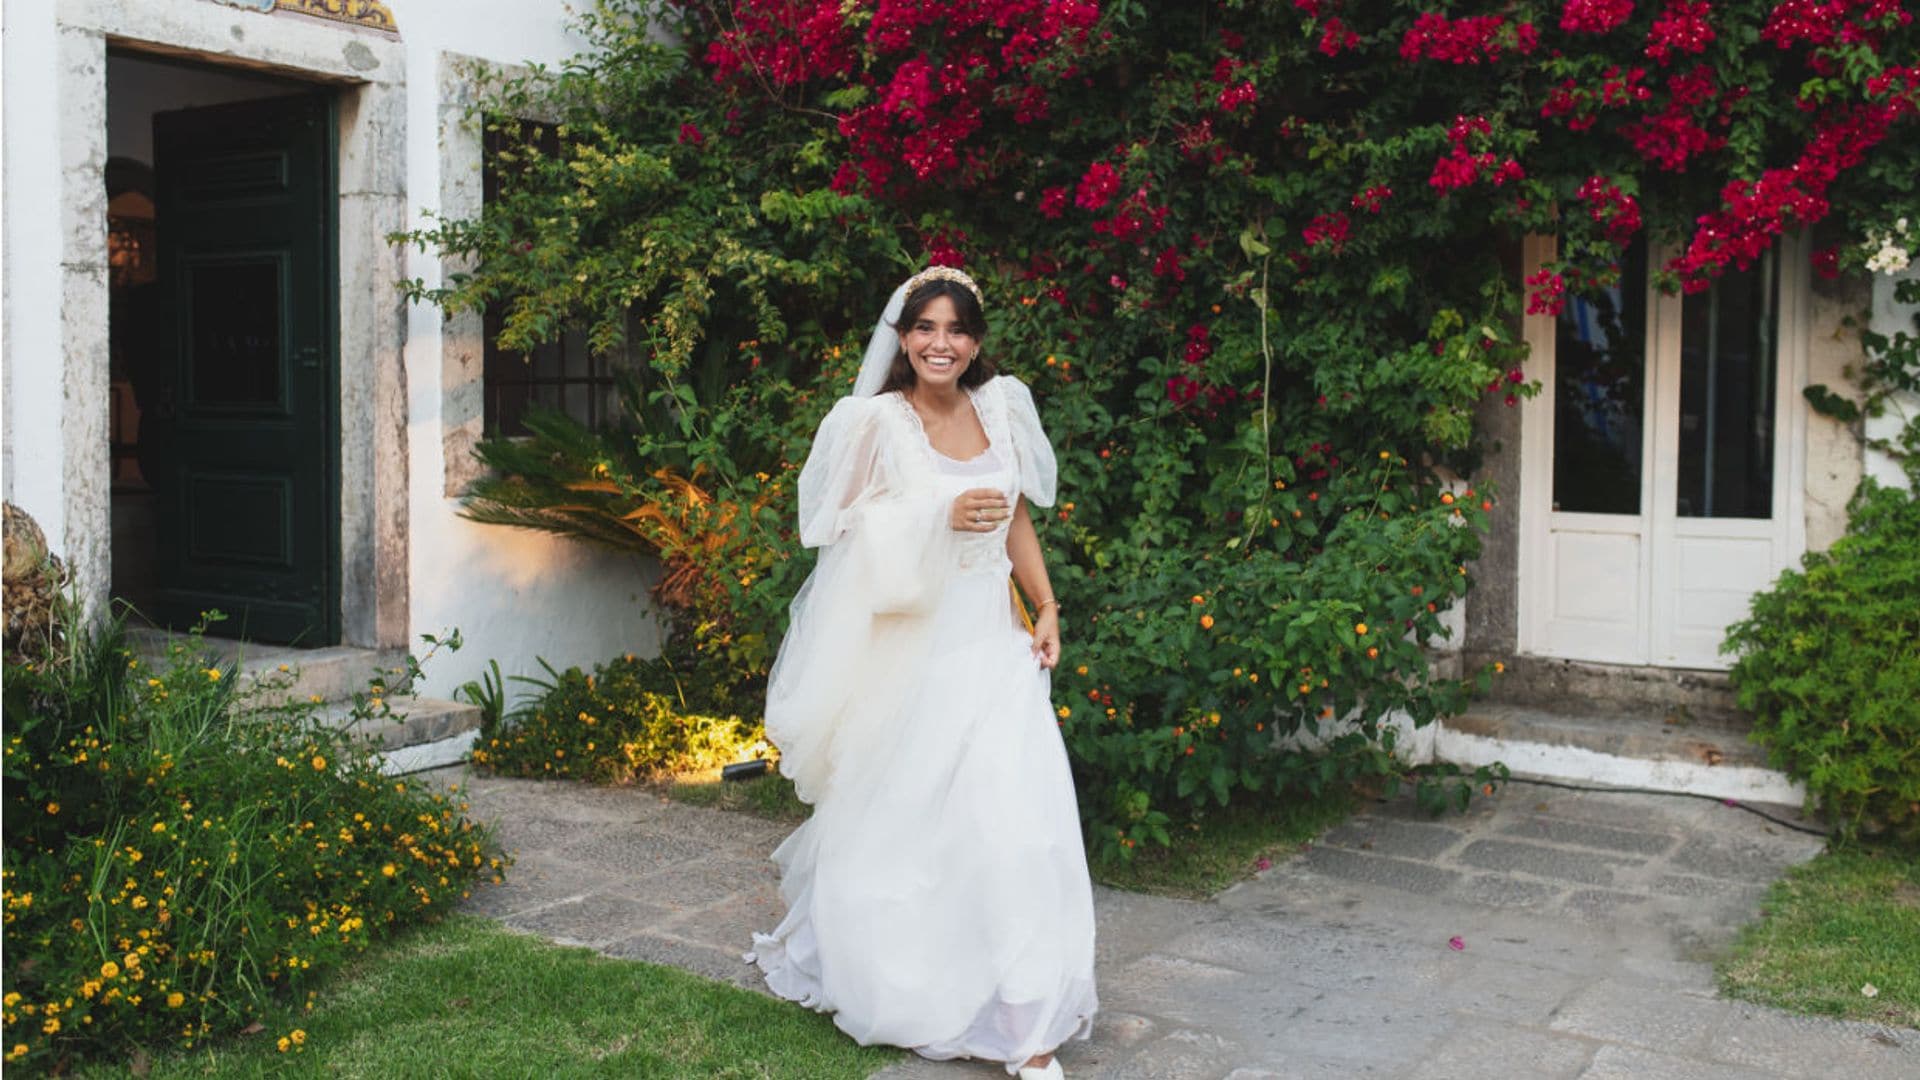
1831,670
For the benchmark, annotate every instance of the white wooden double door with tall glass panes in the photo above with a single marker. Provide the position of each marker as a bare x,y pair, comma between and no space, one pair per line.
1660,464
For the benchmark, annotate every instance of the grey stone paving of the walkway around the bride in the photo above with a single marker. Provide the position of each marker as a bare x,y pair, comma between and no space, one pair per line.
1543,935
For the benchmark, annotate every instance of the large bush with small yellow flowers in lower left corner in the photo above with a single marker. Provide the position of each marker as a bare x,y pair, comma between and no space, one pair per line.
178,856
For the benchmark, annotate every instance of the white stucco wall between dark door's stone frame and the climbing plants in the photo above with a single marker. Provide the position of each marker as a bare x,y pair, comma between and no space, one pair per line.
514,595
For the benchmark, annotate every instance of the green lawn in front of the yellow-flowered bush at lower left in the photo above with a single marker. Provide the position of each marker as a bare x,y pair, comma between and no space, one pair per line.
468,998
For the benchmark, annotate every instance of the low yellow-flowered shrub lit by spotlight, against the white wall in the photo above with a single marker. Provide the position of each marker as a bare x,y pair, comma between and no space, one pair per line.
631,720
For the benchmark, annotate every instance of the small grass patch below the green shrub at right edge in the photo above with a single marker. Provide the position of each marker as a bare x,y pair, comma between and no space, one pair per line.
1835,927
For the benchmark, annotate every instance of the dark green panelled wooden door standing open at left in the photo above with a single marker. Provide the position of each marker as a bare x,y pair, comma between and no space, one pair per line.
249,460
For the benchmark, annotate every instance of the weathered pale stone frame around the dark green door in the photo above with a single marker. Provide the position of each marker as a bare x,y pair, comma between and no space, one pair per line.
368,74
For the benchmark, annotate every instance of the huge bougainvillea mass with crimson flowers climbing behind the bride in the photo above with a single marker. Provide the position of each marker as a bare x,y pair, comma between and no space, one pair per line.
1259,262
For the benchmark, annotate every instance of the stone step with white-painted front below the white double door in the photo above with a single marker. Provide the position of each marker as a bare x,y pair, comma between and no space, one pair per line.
1616,750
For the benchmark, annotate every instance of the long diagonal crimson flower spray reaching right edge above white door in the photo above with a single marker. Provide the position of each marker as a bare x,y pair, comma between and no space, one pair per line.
1754,212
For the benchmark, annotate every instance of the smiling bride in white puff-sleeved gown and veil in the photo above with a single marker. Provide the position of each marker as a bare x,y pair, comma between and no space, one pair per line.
938,898
